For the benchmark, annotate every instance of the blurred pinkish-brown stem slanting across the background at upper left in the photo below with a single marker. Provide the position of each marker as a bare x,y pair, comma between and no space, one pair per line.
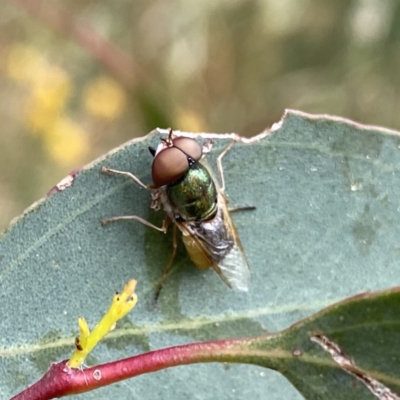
115,60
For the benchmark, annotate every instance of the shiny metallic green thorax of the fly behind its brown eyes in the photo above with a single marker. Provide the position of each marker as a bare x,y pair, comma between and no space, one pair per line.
194,196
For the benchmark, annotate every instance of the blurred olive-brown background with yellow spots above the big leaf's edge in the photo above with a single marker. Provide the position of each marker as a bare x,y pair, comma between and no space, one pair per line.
80,77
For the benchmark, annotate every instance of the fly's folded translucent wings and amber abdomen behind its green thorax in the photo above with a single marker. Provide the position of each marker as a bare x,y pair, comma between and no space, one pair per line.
215,243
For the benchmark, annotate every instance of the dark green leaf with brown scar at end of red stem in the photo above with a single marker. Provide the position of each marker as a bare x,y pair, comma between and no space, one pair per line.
348,351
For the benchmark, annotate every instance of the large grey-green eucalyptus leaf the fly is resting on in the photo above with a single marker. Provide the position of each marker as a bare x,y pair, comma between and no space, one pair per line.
326,227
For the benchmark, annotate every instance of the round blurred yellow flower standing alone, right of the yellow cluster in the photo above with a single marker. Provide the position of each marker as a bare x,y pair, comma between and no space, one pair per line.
104,98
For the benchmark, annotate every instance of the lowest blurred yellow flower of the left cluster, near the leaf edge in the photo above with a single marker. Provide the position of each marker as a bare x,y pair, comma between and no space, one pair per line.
66,142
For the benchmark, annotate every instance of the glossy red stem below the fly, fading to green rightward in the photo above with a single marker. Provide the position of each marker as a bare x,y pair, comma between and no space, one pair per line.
61,380
